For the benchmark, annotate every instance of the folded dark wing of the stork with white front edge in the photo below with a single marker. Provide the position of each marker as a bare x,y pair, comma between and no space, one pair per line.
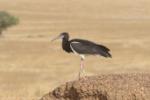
88,47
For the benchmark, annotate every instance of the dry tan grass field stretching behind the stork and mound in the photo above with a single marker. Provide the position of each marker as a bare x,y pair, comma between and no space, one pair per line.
31,66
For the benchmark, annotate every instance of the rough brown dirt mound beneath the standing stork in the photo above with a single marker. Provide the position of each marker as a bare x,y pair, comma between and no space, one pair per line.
104,87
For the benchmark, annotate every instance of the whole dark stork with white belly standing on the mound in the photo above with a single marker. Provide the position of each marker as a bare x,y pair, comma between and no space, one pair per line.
82,48
